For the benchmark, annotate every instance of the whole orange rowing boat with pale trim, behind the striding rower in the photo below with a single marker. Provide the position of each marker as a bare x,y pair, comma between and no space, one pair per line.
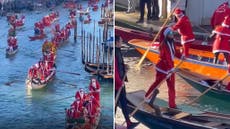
200,63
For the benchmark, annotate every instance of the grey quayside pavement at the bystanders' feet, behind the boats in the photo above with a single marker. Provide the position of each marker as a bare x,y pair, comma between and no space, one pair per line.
129,20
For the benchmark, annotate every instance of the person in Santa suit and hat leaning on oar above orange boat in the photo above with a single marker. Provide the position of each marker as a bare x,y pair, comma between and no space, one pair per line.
184,28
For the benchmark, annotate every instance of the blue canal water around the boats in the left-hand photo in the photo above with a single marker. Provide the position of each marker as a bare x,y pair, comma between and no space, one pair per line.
21,108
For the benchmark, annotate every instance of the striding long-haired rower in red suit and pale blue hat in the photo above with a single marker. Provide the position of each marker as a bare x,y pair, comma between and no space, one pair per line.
165,66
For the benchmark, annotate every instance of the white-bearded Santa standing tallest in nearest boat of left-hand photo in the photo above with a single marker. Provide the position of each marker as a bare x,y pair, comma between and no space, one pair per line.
95,88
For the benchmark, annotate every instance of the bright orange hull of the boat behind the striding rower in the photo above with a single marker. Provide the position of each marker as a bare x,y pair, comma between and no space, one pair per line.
214,71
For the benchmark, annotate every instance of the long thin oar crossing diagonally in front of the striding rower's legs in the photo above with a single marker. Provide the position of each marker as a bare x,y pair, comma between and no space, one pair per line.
140,104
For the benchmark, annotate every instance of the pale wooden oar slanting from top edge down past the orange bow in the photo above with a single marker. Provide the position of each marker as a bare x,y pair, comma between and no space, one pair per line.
155,38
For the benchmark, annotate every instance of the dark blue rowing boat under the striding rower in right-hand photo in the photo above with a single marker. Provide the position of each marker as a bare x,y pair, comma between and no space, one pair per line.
174,118
